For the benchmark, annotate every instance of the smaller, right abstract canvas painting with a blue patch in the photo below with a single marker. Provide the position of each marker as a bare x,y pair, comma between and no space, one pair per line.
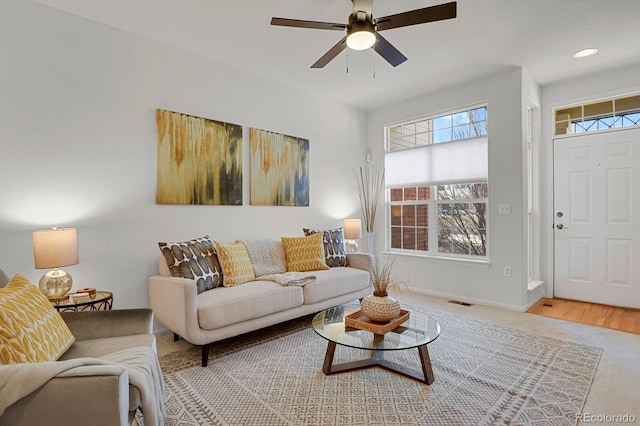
279,169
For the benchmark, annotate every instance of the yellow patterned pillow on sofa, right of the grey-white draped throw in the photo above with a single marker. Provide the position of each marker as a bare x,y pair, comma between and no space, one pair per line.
304,253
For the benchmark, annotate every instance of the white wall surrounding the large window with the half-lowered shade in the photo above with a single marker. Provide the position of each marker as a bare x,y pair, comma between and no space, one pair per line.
484,283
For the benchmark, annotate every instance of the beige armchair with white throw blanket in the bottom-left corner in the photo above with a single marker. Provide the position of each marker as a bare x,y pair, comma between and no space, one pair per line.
96,381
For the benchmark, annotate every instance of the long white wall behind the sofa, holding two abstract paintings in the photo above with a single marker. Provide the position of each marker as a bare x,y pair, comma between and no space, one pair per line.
78,147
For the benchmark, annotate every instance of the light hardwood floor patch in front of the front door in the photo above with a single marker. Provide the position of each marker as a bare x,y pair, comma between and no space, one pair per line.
623,319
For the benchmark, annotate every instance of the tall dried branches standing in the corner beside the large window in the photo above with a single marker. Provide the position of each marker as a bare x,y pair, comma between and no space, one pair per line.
370,184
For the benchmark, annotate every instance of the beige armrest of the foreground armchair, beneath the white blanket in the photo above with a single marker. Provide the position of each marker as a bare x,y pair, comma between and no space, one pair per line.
96,395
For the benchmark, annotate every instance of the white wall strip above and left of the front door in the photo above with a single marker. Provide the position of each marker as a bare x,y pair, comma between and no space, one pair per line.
612,83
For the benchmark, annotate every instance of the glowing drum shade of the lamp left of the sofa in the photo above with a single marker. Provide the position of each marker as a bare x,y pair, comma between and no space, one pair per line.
54,248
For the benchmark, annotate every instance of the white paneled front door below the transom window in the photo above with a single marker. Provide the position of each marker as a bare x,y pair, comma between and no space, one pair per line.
597,218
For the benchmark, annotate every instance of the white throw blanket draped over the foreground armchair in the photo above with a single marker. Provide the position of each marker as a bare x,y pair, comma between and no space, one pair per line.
19,380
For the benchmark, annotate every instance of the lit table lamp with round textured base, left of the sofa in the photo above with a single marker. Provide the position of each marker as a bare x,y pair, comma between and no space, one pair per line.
54,248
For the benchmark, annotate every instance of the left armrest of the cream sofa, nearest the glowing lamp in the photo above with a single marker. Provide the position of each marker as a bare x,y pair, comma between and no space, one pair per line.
175,303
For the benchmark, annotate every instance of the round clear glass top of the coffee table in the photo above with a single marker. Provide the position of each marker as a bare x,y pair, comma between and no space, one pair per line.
418,330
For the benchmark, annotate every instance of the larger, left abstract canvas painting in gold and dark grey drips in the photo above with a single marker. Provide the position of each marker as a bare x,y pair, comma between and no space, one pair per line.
199,160
